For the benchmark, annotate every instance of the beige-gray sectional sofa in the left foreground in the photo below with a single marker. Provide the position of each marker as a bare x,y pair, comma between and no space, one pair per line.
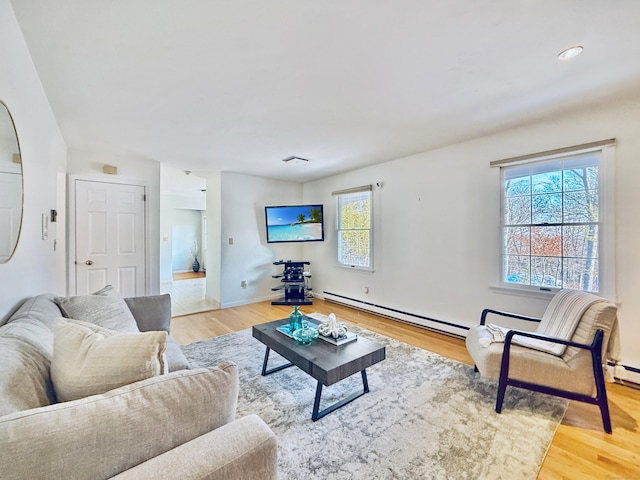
178,425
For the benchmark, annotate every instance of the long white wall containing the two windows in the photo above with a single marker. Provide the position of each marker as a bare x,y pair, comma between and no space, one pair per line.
436,252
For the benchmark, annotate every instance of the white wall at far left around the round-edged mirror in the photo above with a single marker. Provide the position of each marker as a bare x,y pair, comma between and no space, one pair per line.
32,270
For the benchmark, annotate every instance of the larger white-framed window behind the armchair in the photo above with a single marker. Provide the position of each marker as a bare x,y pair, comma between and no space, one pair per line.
552,220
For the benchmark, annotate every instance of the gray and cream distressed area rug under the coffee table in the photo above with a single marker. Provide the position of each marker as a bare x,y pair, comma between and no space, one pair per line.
426,417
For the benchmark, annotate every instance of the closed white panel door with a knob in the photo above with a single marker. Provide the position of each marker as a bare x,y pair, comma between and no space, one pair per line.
110,237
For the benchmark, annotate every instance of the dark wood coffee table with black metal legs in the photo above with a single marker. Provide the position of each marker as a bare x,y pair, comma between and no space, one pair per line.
327,363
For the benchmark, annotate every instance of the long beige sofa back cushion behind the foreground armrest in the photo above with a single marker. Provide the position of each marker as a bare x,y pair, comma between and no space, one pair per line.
103,435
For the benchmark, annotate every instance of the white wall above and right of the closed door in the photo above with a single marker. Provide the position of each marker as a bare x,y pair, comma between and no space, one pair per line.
89,164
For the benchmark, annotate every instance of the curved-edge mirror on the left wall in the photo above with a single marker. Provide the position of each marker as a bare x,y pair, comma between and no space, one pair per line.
10,185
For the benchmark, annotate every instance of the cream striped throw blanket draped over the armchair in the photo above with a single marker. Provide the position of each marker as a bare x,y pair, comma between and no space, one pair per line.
559,320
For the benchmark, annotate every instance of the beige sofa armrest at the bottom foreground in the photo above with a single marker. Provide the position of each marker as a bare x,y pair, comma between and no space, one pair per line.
245,449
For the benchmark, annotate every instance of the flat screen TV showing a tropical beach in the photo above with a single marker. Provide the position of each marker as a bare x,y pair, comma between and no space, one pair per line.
294,223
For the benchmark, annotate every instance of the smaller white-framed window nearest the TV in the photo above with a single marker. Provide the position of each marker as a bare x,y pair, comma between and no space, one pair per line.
355,227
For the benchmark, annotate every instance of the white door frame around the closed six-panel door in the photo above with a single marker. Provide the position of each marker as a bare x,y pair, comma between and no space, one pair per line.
71,224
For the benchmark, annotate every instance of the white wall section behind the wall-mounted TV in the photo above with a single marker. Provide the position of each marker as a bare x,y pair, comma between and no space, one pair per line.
251,258
